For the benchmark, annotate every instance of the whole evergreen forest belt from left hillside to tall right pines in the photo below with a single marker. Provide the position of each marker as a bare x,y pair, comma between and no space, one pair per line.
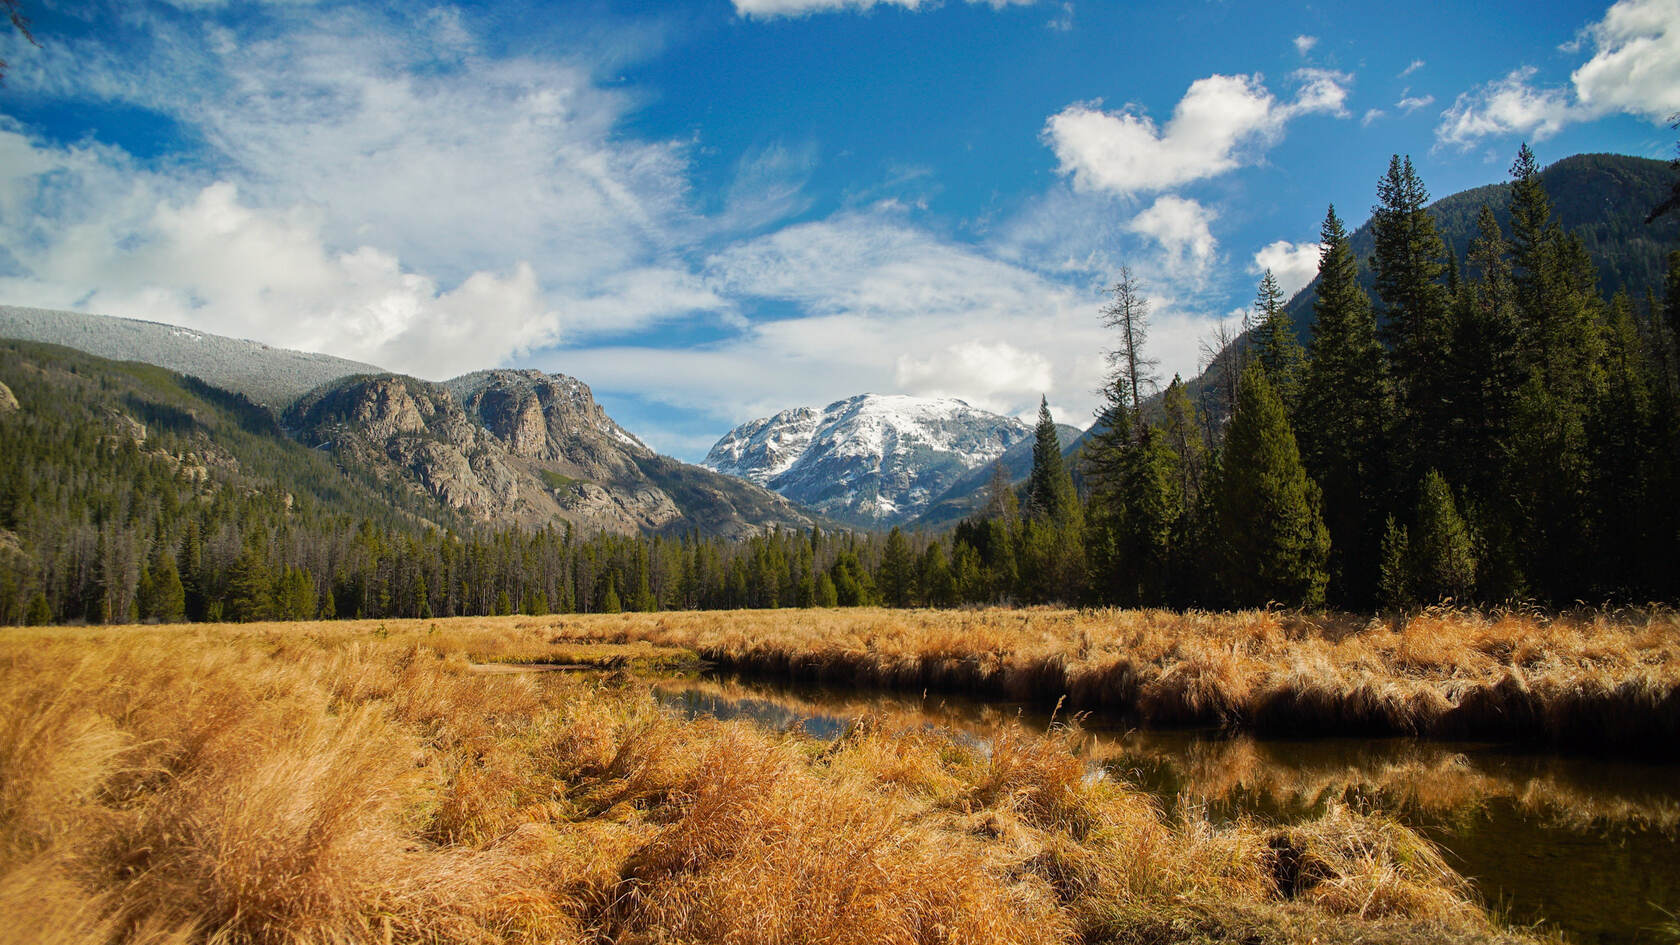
1486,430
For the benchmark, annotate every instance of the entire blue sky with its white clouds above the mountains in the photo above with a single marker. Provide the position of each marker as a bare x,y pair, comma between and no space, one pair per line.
720,209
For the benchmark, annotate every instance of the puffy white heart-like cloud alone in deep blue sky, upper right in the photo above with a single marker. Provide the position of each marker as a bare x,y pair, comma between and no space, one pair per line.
1212,127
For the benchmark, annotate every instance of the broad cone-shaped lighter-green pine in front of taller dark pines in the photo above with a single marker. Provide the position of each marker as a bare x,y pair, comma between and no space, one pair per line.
1269,512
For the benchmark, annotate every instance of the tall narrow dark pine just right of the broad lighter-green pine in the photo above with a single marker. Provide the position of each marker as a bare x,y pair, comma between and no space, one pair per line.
1347,413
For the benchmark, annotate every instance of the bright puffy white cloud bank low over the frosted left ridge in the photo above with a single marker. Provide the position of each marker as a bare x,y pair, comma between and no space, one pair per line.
214,263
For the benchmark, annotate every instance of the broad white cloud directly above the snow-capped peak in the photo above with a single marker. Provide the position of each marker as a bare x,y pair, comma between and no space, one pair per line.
885,307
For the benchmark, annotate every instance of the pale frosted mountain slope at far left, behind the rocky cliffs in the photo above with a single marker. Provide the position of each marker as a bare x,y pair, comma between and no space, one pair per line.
266,376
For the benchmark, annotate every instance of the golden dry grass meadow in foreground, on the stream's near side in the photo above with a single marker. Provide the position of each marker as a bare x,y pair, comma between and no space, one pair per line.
362,783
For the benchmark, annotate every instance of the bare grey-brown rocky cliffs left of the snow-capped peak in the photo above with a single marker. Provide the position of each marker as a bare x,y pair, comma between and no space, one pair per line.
527,448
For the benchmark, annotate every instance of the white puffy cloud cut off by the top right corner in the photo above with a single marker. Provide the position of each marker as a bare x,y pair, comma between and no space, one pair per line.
1635,70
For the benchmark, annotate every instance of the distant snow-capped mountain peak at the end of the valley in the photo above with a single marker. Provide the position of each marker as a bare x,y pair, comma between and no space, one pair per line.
871,460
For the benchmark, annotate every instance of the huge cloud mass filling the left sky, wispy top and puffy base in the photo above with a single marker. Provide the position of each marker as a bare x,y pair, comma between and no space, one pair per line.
372,189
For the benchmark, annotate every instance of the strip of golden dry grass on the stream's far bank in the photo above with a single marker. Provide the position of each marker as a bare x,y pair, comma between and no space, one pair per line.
1605,682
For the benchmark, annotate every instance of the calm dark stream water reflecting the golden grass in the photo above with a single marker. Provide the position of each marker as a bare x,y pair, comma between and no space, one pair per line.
1585,845
